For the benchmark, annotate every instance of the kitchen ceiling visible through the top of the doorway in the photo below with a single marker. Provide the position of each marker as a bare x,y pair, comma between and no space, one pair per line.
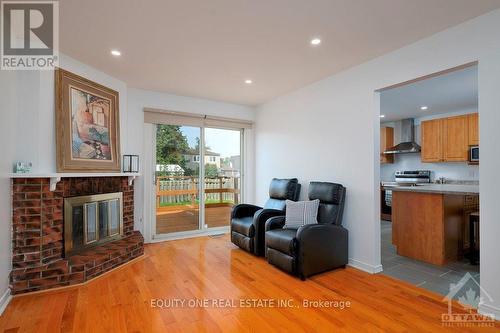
452,92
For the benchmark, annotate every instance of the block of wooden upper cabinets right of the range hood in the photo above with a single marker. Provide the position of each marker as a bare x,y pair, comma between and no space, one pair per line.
448,139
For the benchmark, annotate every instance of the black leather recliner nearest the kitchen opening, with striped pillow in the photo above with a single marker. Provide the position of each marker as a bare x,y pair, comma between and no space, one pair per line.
312,248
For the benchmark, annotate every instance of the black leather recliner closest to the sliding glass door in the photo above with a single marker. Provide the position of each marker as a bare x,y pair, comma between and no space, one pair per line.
248,221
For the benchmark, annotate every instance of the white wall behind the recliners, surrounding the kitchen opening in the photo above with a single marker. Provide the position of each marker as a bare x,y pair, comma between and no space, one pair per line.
329,131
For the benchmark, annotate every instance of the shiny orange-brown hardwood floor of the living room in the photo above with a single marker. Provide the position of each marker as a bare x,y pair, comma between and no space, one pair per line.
214,269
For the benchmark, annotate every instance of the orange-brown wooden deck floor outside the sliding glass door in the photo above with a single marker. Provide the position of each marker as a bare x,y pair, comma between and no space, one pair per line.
184,218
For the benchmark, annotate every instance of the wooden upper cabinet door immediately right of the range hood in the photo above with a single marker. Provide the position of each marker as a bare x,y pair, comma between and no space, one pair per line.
432,140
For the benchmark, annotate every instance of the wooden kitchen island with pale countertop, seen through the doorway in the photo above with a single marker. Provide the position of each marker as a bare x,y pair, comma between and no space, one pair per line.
428,220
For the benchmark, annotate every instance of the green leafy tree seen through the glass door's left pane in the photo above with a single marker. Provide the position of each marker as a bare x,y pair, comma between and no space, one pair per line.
171,145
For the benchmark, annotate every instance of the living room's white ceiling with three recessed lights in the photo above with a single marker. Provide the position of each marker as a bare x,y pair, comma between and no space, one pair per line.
208,48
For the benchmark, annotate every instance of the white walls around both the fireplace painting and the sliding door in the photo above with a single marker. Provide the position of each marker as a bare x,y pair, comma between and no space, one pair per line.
28,132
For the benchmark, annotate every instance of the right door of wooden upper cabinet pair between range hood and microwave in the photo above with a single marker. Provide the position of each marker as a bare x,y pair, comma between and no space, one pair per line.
456,139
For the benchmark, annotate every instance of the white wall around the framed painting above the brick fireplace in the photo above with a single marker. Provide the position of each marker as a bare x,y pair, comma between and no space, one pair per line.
28,133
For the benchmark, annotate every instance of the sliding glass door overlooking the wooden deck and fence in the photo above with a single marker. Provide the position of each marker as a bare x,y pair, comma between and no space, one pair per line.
183,171
